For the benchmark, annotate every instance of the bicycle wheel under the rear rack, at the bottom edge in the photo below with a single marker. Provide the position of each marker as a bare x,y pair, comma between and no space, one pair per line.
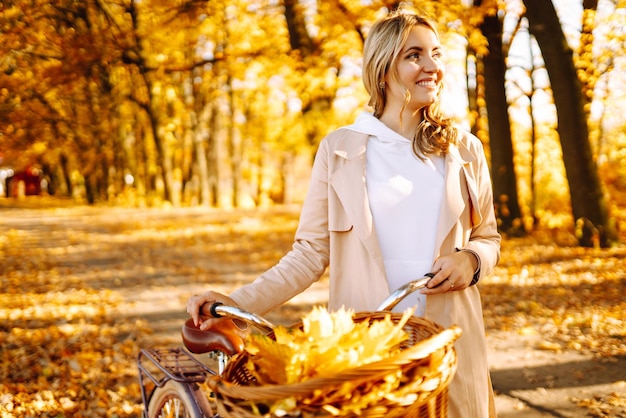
178,400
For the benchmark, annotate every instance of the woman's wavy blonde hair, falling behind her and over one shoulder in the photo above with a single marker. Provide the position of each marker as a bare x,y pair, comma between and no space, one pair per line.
382,48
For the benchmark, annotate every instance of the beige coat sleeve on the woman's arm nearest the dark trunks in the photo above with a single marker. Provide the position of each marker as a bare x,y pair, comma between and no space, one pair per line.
484,238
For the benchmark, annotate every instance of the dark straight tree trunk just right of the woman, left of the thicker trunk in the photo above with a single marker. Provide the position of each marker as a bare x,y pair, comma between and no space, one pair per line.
501,145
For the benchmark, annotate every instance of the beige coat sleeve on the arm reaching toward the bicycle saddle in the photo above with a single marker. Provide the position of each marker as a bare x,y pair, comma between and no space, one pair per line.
309,256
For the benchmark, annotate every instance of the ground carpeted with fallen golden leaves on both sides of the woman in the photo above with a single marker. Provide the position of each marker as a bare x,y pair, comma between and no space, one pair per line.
73,278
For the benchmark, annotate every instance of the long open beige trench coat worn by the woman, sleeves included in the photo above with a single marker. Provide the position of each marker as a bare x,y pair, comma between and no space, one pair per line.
336,231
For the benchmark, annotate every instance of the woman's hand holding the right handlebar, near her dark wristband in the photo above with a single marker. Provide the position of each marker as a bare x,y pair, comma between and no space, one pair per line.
452,272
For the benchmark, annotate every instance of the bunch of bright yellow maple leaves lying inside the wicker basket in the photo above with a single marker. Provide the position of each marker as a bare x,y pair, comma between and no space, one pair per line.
326,345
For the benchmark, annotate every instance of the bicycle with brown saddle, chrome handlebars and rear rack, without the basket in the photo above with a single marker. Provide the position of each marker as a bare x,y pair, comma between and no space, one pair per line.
176,374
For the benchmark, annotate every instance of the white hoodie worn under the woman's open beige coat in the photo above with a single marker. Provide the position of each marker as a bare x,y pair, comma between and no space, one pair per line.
405,195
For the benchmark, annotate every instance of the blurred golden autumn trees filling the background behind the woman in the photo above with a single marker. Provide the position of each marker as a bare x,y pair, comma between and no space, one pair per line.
222,104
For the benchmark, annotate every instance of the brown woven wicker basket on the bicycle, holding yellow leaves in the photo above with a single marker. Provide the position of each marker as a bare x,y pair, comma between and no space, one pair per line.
427,361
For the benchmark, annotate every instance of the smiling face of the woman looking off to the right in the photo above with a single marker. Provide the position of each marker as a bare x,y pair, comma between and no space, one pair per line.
419,69
